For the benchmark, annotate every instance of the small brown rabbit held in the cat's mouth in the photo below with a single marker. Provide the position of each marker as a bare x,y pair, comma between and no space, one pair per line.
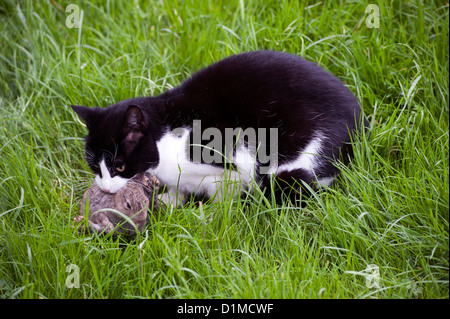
134,200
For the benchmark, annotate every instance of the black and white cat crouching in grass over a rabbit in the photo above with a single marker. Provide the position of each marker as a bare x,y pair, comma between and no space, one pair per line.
255,118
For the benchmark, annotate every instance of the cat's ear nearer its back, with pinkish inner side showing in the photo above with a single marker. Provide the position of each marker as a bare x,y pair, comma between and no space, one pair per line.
134,127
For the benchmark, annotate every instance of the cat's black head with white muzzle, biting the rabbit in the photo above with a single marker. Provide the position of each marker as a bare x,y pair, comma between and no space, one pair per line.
119,144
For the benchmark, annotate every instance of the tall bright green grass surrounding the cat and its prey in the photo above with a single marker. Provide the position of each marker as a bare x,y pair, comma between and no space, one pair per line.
390,206
